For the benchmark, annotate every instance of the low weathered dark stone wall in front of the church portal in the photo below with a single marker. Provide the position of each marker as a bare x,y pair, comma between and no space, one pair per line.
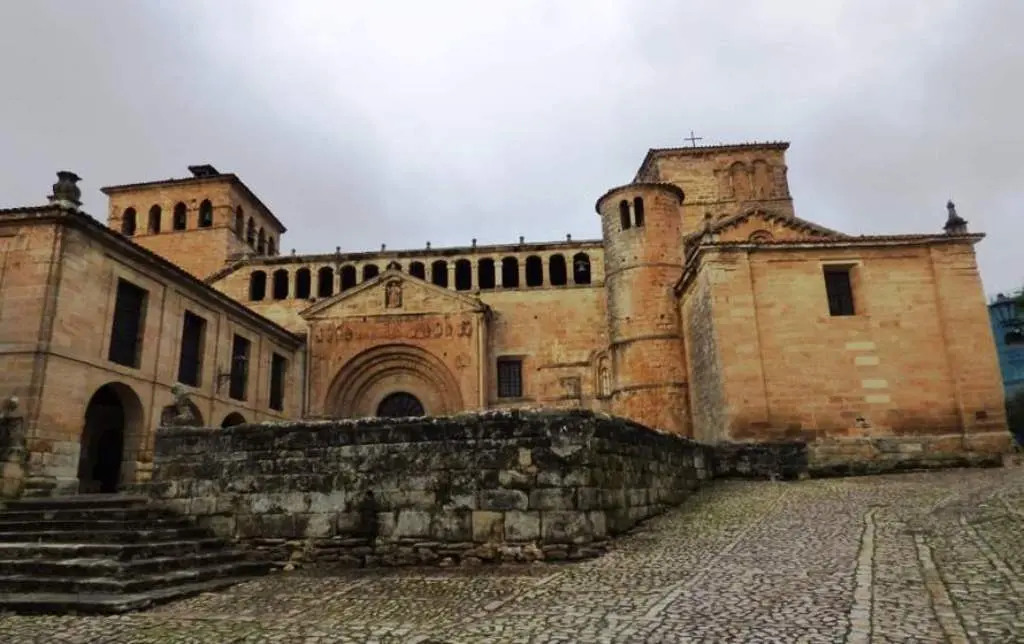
491,487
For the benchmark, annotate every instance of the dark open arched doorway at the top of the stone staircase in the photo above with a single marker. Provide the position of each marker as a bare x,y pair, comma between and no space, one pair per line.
112,419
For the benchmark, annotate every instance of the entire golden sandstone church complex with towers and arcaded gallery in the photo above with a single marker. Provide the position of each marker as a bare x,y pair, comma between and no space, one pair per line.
707,309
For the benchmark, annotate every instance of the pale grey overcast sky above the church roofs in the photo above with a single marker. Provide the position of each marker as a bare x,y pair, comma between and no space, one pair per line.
398,122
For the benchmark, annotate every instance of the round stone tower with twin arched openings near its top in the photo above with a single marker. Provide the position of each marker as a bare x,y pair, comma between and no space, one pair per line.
644,259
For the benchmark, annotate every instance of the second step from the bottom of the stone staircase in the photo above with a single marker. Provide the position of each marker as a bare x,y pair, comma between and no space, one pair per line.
16,584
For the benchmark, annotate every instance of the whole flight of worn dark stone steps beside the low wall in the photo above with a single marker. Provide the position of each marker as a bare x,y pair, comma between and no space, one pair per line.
105,553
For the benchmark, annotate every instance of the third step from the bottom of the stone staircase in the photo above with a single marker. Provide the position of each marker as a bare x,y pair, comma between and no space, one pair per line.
114,569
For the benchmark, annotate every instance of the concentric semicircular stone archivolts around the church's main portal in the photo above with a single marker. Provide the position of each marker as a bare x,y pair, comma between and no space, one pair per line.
370,378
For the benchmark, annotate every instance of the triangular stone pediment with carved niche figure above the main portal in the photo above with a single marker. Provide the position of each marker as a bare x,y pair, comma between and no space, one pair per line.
393,293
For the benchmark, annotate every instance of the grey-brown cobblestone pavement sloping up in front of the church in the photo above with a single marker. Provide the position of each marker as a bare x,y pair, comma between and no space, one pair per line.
934,557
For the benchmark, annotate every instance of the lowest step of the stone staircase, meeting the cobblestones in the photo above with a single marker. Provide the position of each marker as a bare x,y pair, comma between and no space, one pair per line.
57,604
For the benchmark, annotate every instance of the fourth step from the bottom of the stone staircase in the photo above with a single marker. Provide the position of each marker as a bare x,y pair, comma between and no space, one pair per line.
121,552
